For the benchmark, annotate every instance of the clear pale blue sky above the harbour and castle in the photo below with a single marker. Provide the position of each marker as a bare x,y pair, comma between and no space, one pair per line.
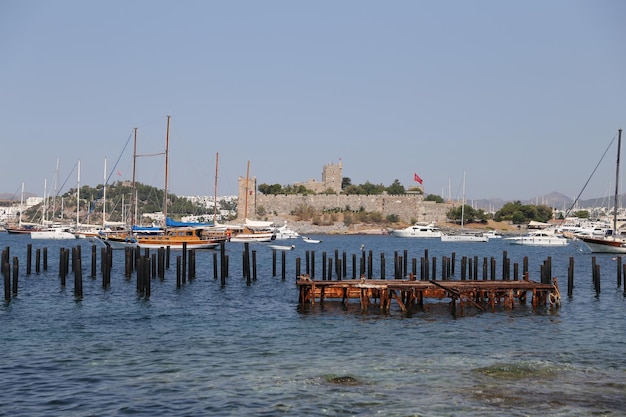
523,96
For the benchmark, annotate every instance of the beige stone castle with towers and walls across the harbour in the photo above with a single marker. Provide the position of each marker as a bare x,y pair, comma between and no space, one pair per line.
408,207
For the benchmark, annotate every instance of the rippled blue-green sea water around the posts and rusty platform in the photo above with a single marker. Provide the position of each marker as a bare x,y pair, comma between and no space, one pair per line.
244,349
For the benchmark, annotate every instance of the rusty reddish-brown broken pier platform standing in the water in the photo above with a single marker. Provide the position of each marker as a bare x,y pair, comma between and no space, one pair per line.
411,293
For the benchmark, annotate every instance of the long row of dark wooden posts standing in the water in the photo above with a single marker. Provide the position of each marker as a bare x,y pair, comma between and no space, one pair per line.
151,265
